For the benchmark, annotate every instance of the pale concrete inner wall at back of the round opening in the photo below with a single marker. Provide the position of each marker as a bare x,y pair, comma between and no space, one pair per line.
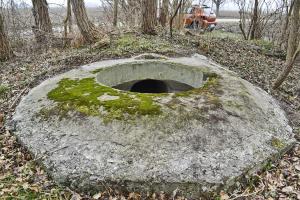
127,72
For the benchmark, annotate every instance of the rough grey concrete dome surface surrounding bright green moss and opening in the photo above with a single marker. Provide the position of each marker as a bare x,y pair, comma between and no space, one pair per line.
199,143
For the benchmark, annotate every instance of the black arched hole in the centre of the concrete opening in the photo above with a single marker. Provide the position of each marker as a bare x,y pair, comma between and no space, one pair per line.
150,86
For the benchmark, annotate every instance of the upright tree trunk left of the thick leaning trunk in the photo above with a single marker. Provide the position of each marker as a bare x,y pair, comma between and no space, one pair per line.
43,26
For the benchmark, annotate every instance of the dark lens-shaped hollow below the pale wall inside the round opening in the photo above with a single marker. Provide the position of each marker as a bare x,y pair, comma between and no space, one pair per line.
153,86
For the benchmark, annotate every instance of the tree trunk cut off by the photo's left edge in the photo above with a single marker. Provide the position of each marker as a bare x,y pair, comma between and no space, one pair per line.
5,51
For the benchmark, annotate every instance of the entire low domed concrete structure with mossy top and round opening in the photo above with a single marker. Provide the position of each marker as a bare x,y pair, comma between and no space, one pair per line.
151,125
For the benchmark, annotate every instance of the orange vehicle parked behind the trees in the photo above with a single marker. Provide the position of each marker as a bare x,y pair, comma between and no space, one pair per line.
200,17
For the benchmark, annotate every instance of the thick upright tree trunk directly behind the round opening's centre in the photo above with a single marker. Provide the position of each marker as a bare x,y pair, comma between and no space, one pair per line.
149,12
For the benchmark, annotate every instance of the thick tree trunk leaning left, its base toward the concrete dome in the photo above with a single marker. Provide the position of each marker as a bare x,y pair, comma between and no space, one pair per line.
87,29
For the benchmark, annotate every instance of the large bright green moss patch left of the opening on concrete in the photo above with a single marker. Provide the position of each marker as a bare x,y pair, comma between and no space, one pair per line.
83,96
